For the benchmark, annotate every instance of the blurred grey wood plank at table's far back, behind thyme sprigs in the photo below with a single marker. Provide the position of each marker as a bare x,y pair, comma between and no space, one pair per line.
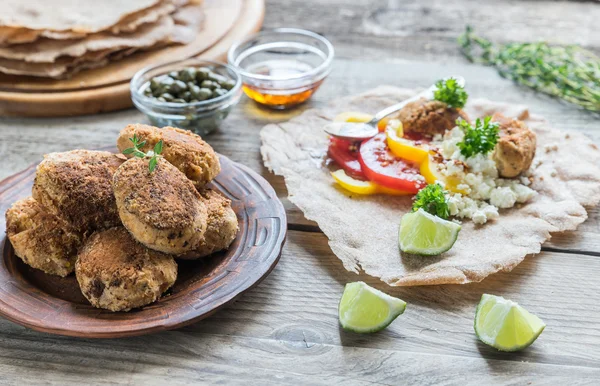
427,29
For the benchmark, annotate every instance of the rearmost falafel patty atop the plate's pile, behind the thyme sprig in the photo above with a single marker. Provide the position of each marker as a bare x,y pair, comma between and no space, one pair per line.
182,148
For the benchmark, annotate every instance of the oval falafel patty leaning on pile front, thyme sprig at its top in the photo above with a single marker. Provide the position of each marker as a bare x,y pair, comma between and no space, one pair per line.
162,209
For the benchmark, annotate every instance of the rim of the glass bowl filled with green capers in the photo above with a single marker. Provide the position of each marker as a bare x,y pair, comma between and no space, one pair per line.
153,102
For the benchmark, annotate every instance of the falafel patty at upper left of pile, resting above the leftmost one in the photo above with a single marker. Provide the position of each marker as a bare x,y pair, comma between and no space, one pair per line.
77,186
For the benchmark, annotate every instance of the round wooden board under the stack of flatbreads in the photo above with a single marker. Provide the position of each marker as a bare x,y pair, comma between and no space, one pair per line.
107,88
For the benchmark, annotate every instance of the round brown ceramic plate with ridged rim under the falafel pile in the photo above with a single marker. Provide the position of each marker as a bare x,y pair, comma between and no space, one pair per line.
55,305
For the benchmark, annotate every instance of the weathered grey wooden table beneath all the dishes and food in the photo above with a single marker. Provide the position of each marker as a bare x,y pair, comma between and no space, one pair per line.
285,331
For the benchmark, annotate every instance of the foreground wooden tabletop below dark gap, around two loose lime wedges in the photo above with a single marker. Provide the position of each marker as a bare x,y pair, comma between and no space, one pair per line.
286,331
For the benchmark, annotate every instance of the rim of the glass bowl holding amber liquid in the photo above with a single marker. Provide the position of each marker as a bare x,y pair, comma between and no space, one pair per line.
284,31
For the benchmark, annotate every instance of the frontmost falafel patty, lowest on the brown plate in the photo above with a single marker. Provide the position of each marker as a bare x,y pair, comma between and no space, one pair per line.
117,273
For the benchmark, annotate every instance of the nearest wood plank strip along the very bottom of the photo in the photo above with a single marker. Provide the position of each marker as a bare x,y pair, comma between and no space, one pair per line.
190,358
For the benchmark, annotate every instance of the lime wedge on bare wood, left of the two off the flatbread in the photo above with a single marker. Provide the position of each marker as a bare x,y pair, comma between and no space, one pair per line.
363,309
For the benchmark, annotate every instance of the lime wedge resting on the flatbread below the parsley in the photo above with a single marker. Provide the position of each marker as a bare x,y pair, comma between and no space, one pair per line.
422,233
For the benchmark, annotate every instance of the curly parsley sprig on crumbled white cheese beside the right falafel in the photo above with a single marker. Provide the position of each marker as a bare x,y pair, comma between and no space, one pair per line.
481,138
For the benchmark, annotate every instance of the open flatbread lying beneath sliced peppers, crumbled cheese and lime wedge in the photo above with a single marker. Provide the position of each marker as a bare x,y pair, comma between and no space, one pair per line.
363,230
